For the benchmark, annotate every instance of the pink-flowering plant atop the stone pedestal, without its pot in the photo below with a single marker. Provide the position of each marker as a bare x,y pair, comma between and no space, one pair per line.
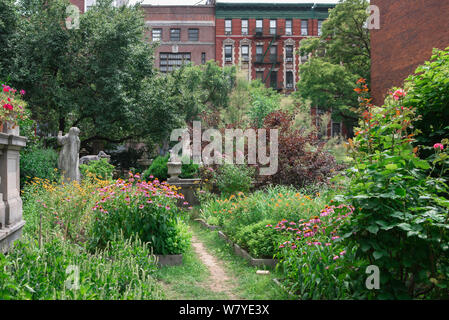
12,107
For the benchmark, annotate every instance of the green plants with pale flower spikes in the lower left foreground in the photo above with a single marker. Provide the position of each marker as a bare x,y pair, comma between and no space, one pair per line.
122,271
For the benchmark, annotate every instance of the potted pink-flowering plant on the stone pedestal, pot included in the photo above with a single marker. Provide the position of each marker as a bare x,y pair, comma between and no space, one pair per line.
12,109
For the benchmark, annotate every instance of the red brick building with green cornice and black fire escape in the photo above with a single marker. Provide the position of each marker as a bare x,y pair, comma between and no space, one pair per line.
263,38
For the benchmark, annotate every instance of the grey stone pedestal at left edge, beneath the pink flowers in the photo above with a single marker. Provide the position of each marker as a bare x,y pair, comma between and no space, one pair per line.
11,221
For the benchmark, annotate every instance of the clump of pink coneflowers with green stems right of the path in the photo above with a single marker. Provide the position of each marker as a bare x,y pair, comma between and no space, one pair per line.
314,260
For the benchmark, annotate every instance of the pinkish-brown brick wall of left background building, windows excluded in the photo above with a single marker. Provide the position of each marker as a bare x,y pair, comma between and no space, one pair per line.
184,17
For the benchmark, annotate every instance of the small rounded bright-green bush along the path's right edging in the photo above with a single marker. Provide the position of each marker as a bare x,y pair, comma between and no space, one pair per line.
260,241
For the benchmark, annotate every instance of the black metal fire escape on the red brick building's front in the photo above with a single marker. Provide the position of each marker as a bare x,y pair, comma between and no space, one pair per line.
260,59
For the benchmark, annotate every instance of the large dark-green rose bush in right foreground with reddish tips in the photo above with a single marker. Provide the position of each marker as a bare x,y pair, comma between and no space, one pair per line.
401,219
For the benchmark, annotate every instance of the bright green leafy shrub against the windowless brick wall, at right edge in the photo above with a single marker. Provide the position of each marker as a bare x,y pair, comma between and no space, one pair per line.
428,92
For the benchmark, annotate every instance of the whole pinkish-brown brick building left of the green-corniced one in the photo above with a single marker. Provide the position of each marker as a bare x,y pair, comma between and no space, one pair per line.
184,33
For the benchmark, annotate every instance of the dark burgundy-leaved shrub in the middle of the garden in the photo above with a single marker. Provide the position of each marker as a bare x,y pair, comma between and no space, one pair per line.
302,158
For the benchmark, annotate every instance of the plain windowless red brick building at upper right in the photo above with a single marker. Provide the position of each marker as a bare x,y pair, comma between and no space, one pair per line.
409,30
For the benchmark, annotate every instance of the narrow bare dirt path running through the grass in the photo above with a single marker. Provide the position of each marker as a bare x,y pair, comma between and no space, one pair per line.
219,280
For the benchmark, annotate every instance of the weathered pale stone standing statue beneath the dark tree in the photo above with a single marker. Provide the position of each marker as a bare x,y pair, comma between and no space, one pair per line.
68,161
